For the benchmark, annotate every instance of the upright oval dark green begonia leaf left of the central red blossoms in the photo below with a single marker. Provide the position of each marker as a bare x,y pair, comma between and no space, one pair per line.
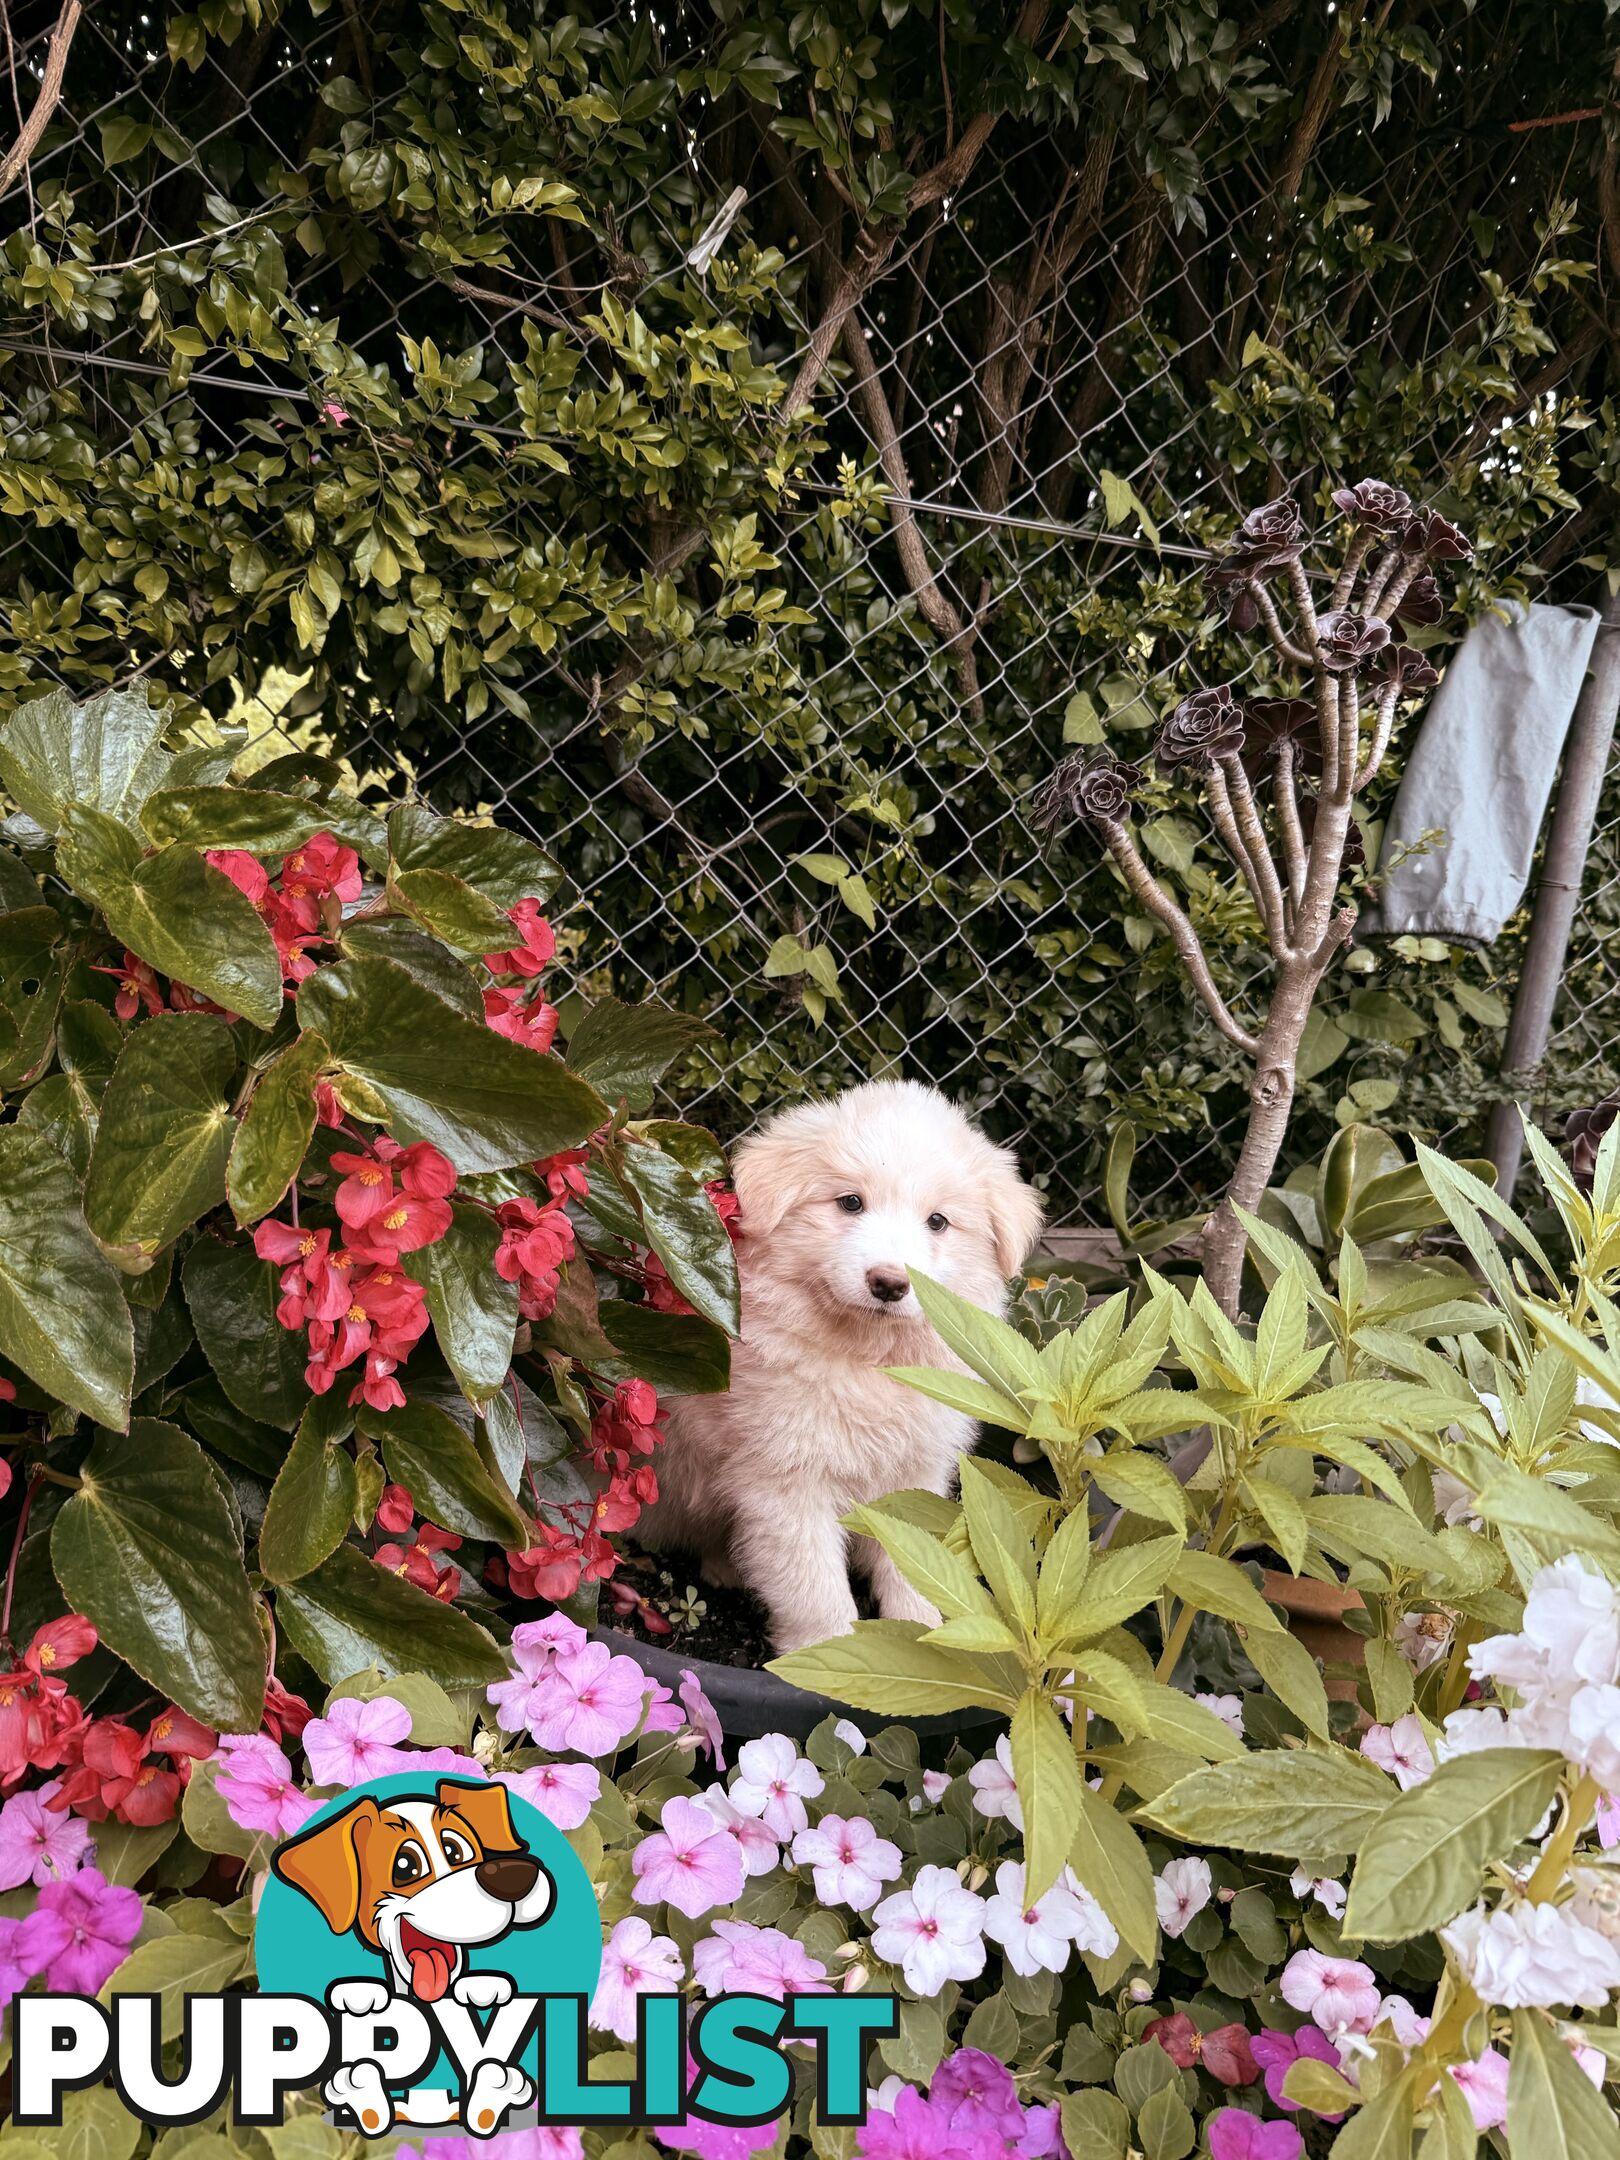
165,1133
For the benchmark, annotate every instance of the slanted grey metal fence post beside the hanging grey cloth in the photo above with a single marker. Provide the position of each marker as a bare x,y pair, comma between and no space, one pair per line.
1558,893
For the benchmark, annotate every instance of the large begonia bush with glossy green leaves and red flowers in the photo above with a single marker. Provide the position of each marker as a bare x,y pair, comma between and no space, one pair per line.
336,1299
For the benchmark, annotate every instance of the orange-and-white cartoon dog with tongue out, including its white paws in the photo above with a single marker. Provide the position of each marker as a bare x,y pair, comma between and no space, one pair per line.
422,1880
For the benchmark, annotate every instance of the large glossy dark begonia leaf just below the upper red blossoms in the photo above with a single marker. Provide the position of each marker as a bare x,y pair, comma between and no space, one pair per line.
476,1096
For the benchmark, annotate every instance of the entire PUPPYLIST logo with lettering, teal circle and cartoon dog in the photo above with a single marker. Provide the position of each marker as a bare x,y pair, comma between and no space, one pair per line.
427,1956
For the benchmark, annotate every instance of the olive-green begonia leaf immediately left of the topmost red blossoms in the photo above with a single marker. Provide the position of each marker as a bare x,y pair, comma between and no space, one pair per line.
176,913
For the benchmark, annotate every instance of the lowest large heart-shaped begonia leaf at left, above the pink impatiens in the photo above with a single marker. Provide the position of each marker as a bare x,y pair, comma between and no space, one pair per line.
148,1550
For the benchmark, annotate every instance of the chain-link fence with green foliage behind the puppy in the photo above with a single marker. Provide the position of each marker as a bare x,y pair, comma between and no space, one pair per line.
1072,373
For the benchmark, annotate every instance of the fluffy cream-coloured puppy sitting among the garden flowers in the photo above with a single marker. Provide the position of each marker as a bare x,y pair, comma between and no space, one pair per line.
811,1427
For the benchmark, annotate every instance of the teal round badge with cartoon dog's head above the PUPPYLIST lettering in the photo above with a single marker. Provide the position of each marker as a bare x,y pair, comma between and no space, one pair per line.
435,1891
